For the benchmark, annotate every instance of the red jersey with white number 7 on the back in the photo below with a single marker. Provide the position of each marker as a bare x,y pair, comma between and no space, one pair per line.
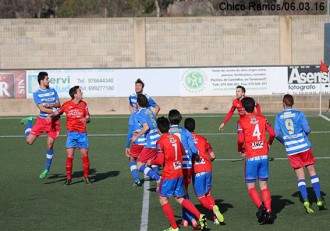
169,146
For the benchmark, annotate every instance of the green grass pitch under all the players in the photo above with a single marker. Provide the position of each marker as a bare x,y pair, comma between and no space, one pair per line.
111,203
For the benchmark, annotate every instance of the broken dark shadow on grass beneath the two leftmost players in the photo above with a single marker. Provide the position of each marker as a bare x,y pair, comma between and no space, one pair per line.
93,175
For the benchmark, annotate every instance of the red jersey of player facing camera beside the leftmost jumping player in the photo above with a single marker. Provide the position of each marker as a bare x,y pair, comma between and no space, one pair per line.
74,115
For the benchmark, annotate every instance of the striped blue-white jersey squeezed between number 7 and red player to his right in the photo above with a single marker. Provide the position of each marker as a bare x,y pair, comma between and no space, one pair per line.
188,143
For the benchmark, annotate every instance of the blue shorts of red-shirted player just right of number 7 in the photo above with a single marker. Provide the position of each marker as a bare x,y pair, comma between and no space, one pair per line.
202,183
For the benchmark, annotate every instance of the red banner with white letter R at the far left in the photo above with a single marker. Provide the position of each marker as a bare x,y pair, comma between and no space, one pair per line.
12,84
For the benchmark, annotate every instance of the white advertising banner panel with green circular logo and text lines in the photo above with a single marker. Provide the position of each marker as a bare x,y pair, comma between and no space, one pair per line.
222,81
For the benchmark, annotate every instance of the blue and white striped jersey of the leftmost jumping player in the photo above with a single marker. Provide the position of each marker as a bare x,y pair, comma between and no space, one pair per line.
45,96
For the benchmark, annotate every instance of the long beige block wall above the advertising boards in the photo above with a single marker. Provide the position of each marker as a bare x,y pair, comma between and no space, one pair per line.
161,42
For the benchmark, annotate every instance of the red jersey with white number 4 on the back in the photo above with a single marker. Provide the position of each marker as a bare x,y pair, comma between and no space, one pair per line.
251,130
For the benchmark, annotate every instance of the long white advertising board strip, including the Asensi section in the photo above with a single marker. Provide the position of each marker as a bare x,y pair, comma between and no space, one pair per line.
211,81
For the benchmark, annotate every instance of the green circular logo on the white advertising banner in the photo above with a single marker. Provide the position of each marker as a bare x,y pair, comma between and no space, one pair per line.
194,80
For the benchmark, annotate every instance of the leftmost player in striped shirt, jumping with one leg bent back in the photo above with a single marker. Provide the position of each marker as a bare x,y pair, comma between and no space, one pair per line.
47,100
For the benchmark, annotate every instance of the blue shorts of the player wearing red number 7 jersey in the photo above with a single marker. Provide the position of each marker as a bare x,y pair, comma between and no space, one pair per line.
171,187
